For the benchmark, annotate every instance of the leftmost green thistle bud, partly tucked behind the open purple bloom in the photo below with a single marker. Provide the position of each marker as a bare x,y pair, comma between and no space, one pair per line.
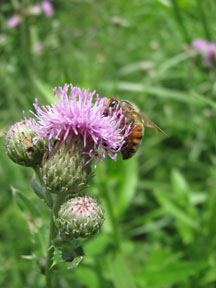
20,147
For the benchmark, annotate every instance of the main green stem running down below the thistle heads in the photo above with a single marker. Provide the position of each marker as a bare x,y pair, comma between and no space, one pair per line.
52,236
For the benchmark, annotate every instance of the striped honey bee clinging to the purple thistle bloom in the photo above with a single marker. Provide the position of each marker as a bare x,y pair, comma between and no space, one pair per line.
137,122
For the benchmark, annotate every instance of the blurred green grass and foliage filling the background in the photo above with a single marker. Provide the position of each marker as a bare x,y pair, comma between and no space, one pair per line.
160,206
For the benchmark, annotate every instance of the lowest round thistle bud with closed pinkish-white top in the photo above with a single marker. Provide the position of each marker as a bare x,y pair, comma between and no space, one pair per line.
79,217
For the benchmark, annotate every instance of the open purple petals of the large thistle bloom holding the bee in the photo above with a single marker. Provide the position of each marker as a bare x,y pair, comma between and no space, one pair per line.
77,116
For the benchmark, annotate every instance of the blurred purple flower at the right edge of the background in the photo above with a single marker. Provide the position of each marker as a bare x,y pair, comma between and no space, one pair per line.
207,48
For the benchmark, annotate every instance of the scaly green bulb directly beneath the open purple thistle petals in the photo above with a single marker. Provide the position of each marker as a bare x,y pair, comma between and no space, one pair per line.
65,171
